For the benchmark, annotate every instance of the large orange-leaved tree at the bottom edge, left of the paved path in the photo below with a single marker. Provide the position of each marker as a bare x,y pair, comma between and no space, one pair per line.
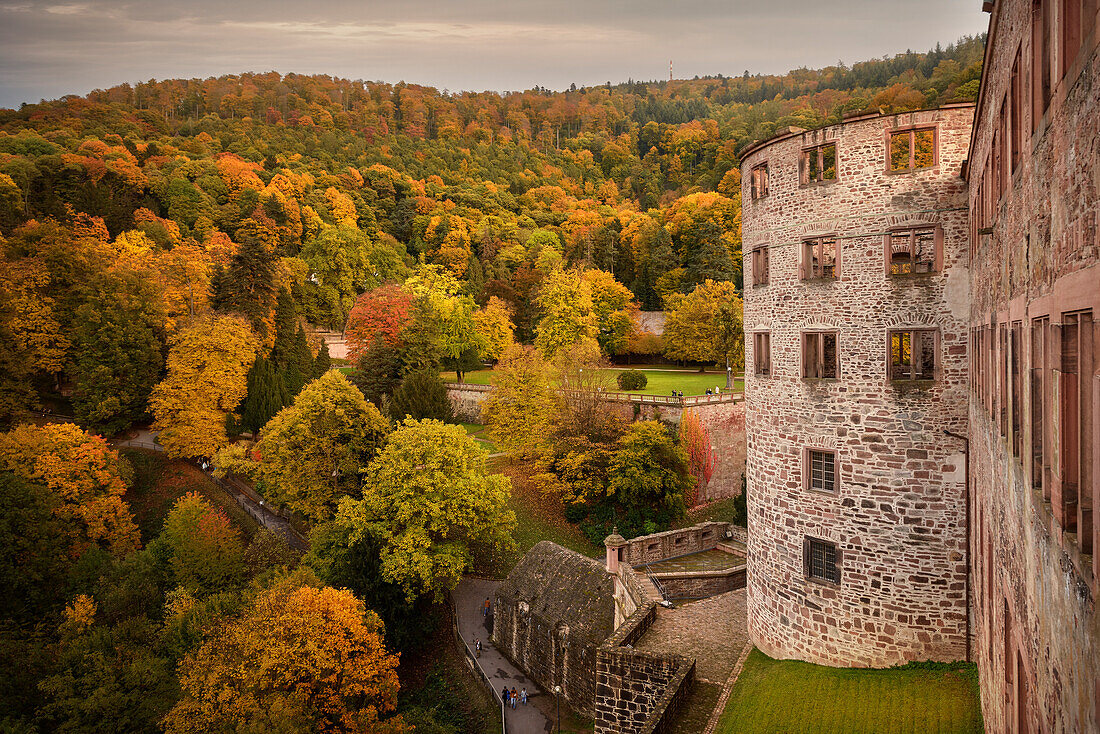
300,659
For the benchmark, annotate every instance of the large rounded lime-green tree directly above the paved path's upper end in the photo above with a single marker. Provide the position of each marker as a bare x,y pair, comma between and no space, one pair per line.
430,501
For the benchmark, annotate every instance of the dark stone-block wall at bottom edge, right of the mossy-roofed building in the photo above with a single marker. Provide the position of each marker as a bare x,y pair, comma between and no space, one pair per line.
639,693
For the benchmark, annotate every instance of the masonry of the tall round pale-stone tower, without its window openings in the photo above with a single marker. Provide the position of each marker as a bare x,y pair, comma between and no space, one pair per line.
898,514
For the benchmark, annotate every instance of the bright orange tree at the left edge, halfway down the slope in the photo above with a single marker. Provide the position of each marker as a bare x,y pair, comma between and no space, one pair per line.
85,474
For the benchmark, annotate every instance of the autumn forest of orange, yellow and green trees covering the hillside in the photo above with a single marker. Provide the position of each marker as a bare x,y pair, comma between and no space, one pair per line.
172,255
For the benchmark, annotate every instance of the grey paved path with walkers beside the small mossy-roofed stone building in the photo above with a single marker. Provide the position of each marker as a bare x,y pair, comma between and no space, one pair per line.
469,598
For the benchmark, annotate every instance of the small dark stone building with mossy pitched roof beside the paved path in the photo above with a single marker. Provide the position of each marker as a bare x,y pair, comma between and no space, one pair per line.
553,612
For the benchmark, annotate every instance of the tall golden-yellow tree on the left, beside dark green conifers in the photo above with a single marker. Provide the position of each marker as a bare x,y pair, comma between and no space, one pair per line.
208,365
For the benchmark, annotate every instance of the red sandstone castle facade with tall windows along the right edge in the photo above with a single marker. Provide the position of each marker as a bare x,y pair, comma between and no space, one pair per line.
1035,179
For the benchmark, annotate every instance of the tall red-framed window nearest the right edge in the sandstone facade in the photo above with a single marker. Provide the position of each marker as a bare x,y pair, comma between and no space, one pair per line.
1074,501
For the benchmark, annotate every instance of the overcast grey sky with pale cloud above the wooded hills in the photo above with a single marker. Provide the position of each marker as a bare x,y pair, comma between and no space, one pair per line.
49,49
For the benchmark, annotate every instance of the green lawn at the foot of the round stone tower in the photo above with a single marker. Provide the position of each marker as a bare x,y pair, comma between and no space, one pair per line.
800,698
